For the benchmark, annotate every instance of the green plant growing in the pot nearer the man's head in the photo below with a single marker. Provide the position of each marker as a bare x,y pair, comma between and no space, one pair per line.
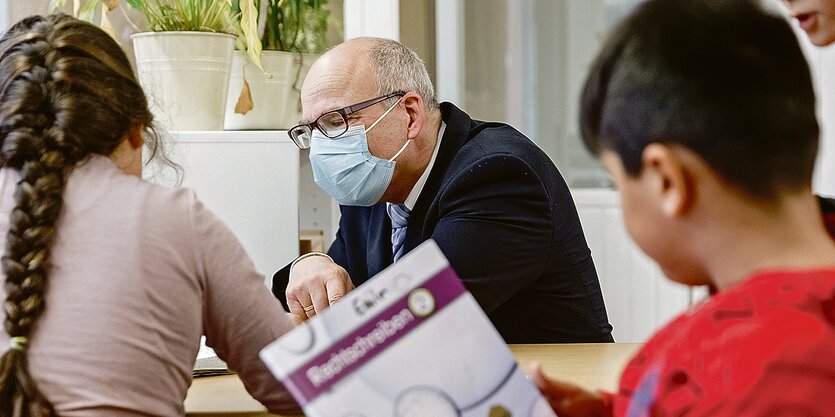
282,25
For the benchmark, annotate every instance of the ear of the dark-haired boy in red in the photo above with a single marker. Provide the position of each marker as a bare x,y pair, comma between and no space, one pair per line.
669,179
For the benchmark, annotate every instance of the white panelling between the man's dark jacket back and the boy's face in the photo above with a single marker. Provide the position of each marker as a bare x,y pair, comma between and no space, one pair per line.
639,299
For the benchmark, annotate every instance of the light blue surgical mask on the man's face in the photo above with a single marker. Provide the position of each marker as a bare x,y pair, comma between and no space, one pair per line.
345,169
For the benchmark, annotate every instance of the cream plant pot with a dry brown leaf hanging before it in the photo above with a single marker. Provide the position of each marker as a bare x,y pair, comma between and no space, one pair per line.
275,91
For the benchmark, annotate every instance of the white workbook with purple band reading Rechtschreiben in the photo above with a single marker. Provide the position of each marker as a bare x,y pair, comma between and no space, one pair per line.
410,342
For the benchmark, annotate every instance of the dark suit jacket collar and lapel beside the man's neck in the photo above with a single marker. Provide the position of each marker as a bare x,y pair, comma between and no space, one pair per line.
456,134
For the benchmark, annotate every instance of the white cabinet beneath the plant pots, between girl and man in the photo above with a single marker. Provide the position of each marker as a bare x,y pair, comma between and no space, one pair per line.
250,180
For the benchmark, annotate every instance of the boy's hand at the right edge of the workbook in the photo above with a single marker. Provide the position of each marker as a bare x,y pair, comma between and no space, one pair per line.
567,400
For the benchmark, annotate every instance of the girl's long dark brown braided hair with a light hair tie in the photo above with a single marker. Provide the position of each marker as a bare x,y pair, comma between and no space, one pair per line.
66,91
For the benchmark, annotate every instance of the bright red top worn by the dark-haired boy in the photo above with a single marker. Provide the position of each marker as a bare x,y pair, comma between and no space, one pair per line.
763,347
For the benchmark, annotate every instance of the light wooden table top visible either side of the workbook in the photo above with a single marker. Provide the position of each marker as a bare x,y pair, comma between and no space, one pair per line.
593,366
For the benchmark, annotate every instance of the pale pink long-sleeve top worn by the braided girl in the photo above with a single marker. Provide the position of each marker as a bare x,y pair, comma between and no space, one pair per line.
138,273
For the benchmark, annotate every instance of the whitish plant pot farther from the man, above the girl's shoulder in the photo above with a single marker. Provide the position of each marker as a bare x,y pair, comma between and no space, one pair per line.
186,77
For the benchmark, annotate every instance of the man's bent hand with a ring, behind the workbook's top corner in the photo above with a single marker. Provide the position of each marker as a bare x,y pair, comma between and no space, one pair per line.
316,282
